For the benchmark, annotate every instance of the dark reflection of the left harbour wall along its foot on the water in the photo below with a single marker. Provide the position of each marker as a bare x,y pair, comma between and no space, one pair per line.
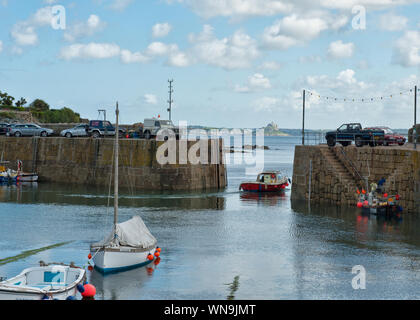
98,196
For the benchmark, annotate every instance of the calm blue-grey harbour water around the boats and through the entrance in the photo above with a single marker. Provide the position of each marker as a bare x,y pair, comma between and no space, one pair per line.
276,248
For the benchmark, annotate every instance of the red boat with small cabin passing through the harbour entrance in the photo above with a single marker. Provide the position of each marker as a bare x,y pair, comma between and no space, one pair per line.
266,182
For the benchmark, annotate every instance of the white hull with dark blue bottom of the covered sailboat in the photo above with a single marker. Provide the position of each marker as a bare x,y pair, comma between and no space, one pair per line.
118,260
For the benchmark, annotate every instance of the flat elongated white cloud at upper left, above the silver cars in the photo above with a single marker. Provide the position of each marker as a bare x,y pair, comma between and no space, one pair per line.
90,51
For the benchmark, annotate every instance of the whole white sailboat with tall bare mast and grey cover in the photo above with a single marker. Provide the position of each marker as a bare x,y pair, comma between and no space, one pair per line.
130,245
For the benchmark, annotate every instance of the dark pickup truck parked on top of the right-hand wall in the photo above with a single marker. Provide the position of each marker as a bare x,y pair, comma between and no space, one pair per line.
353,132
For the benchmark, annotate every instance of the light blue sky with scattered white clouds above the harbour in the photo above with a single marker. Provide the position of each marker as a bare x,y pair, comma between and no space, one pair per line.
235,63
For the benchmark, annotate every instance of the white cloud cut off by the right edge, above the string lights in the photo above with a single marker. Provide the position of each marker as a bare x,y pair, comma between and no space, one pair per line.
407,49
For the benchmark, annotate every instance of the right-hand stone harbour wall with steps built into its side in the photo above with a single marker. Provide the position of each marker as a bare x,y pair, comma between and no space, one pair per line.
334,181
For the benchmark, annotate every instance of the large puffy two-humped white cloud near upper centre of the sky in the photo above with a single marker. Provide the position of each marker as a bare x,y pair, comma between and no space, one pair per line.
237,51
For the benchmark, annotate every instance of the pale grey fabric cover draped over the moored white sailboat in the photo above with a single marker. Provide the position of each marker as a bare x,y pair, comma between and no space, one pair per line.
132,233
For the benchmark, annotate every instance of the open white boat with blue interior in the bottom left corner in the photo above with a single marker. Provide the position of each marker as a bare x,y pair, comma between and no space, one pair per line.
41,283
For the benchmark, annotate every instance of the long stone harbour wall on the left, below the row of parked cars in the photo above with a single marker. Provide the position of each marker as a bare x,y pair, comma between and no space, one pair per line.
90,161
